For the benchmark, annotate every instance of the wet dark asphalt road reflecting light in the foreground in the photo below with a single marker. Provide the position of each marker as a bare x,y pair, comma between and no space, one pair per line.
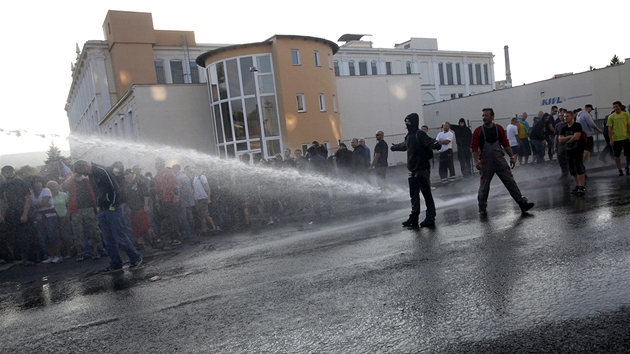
554,280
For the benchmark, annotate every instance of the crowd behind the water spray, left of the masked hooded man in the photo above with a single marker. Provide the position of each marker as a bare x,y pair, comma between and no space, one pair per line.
101,210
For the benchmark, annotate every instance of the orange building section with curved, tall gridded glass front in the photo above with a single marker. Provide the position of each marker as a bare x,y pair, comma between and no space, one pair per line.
271,95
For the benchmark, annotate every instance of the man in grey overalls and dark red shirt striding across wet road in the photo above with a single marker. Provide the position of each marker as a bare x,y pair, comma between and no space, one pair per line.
488,157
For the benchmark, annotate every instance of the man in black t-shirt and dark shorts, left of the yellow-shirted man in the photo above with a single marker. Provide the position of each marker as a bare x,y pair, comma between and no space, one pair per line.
571,135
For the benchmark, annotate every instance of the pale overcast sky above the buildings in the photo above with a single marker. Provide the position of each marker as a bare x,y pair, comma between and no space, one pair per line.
545,38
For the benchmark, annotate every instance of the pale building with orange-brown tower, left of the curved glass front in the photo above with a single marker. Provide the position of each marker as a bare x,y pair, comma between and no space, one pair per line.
105,97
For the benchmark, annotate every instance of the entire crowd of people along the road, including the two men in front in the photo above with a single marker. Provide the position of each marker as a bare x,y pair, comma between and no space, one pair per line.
100,210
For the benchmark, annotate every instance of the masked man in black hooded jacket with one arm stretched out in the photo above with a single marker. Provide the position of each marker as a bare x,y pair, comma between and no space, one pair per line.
419,151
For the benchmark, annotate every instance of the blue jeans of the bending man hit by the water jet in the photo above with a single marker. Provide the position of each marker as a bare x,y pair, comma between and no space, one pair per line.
112,227
